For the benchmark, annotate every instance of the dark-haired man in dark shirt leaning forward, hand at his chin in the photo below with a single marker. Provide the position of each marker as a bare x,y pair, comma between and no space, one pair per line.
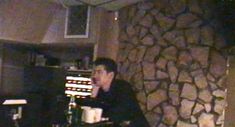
116,97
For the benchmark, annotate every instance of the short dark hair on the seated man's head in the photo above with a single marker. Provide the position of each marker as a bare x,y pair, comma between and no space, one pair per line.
109,64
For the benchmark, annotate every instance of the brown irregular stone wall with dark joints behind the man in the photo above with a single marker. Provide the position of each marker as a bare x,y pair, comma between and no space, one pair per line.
171,52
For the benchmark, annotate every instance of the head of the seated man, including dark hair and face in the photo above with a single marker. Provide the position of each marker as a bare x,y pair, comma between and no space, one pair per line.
104,72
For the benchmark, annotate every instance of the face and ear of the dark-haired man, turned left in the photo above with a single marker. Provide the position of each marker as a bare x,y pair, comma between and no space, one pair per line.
101,77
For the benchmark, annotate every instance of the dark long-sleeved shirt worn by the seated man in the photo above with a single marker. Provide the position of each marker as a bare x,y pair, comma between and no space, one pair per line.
120,104
